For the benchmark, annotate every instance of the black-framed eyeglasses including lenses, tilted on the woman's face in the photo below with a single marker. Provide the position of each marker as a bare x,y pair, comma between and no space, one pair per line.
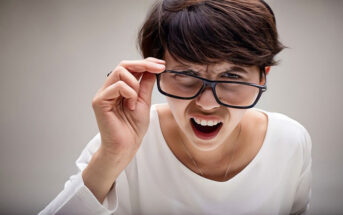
234,94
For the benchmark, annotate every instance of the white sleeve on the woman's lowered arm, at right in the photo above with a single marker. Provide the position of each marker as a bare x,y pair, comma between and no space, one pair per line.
302,198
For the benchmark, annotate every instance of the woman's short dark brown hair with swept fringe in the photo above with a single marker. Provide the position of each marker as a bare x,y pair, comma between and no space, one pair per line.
242,32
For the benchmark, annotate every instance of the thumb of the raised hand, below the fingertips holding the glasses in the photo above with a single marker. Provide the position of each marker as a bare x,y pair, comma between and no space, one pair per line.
146,85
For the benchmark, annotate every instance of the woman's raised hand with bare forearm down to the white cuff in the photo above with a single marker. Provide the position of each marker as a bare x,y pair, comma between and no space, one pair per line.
122,111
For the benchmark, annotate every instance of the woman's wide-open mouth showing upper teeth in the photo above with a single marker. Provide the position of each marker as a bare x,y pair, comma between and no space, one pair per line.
205,129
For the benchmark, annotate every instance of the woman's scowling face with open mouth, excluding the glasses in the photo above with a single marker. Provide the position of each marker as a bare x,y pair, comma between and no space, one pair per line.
190,115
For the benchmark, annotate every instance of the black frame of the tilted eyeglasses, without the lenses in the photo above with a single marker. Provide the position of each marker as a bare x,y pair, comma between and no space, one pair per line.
212,84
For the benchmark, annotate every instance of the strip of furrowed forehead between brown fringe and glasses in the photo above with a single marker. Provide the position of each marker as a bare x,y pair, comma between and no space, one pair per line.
174,64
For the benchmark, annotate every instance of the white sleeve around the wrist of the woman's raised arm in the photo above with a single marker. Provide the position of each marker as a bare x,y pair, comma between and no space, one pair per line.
76,198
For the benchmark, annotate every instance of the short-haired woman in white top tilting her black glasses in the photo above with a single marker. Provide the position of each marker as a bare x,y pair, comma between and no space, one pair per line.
207,151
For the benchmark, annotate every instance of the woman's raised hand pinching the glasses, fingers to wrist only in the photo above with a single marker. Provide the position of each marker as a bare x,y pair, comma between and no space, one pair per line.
122,106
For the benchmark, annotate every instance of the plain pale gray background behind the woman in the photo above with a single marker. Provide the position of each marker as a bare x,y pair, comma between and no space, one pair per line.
54,56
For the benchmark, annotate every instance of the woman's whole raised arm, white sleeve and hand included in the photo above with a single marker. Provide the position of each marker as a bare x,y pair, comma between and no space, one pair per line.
121,107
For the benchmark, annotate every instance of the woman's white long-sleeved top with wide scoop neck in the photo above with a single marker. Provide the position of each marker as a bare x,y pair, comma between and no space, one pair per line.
276,181
